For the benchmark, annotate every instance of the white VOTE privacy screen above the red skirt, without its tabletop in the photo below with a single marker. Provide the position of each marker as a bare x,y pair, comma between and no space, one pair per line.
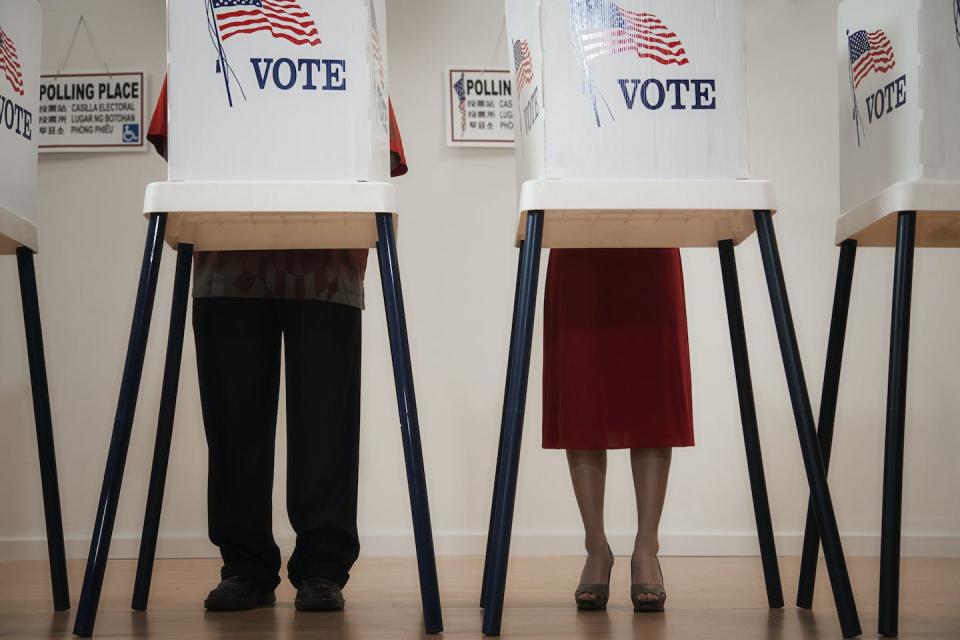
634,89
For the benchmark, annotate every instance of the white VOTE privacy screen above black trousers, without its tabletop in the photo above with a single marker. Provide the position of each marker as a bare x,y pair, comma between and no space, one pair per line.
287,91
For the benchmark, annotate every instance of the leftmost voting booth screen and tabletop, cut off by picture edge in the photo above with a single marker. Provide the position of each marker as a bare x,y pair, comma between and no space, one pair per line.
20,33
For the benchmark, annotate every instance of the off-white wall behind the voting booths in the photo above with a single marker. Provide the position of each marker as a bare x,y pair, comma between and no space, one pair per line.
459,269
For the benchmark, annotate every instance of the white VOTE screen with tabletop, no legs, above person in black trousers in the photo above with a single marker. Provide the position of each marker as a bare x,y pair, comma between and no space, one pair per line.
303,107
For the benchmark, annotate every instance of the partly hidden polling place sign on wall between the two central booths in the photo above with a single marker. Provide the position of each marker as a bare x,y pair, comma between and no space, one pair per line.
480,107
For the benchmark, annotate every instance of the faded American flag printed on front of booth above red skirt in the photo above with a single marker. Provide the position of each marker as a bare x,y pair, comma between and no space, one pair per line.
606,28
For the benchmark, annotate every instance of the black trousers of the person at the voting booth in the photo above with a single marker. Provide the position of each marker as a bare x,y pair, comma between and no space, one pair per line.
238,360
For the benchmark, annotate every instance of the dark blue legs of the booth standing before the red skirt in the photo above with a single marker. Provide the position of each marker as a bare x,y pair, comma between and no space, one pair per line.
515,393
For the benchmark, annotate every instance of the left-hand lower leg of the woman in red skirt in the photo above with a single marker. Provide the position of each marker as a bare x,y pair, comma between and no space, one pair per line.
588,470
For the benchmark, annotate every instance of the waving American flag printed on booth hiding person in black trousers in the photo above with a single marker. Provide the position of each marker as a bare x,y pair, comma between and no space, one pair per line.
284,19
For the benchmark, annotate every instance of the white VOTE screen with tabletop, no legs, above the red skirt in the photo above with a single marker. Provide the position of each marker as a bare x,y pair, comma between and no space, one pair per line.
609,99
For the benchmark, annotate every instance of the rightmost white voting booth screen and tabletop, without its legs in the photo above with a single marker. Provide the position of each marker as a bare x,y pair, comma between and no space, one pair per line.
899,130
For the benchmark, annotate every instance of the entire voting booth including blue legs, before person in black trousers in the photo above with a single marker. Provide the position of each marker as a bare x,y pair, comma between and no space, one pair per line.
278,139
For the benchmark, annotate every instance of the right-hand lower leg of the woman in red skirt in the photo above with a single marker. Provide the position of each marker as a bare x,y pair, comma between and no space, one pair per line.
651,468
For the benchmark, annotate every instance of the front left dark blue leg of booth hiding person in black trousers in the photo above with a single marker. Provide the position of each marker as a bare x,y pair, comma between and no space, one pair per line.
123,423
